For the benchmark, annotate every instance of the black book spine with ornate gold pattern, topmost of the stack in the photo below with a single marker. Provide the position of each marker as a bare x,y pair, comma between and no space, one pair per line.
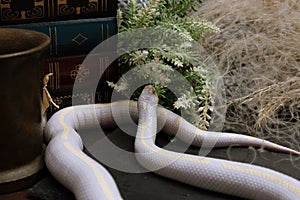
30,11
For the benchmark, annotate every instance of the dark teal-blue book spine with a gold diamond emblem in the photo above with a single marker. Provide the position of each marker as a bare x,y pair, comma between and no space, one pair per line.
74,37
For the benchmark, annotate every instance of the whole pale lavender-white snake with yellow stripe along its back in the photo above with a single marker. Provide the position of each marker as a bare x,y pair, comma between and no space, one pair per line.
88,180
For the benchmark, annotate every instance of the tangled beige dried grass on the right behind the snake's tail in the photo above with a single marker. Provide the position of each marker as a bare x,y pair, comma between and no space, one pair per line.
258,53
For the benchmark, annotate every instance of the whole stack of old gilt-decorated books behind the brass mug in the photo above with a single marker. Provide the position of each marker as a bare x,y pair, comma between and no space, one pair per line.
75,28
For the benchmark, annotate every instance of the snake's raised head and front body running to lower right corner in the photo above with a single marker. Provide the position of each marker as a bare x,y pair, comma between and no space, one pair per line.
239,179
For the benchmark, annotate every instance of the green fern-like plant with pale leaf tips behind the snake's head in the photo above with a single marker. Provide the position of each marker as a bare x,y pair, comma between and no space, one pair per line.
169,17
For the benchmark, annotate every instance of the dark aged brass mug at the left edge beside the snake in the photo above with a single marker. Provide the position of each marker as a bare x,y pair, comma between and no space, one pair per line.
22,55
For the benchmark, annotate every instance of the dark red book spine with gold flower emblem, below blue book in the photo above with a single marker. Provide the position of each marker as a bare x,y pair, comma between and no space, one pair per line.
66,69
